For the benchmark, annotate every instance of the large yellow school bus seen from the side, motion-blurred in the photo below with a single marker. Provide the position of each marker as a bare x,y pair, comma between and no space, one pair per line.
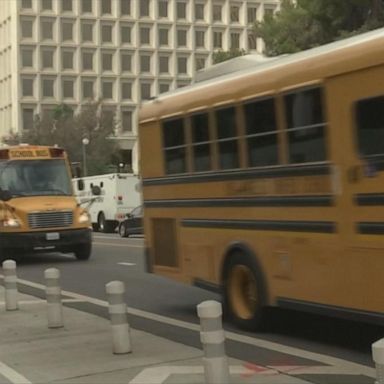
268,183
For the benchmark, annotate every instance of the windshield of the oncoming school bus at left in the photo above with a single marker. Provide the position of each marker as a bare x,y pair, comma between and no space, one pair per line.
35,178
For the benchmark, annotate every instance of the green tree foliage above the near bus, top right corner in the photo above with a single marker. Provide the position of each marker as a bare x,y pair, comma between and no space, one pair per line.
310,23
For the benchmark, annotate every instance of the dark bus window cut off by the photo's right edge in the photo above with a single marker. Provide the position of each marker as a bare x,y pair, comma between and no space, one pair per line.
370,126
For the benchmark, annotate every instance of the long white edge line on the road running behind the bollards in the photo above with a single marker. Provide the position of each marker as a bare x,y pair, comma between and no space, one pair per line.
304,354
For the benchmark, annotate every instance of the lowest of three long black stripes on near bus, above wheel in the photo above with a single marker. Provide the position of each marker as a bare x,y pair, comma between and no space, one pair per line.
263,225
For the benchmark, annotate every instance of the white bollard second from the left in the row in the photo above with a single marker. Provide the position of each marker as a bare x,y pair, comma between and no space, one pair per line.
53,296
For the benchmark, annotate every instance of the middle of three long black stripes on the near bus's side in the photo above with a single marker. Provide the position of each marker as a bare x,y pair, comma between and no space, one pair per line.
259,201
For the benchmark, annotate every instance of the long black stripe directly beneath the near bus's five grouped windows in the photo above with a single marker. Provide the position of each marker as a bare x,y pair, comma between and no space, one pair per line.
275,172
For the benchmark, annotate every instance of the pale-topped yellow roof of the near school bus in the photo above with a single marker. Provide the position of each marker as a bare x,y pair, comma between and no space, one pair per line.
301,68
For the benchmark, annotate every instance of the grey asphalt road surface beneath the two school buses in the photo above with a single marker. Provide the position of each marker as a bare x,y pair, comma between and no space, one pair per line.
115,258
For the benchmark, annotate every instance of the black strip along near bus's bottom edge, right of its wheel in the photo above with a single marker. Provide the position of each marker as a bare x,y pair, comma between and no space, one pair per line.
331,310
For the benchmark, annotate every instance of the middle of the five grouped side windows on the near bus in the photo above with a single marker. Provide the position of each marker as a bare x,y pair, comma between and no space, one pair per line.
227,138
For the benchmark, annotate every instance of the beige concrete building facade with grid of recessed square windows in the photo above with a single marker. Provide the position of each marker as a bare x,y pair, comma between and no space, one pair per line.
123,51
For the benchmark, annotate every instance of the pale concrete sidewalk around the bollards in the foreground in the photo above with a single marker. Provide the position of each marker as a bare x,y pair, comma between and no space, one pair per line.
81,353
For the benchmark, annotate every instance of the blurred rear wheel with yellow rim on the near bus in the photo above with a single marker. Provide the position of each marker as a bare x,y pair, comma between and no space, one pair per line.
244,291
